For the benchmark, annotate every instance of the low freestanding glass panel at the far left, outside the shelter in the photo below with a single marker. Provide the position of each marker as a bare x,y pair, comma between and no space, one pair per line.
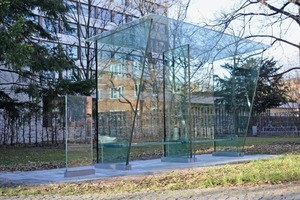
78,131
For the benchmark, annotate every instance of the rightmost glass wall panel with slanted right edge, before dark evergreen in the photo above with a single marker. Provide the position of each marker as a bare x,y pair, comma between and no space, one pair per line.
234,92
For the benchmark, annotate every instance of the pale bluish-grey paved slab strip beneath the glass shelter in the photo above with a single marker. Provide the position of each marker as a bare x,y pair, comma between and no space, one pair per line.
139,167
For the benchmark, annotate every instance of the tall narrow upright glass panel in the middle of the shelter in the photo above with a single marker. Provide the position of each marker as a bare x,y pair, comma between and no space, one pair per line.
177,102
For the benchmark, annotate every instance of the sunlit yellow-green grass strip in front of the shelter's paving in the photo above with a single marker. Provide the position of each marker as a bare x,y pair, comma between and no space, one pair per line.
282,169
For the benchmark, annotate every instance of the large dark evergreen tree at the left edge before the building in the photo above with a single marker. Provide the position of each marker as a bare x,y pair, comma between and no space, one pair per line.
25,60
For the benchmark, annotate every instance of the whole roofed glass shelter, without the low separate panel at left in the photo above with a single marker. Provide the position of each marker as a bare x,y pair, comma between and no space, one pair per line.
157,86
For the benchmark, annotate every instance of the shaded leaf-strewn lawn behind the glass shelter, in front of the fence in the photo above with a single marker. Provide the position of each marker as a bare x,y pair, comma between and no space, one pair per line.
21,158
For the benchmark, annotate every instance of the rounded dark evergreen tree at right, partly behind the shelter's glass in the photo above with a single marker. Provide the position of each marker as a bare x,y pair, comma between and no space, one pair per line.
269,90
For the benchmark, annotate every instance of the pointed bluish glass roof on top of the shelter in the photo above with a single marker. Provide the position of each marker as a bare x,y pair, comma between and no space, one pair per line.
165,33
